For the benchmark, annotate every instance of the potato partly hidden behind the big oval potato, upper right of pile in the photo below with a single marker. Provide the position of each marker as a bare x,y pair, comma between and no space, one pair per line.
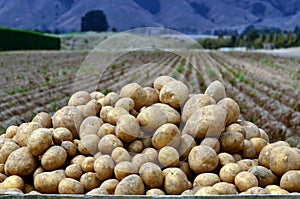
194,103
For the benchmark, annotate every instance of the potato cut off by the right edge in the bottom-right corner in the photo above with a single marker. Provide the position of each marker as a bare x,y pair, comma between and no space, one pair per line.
290,181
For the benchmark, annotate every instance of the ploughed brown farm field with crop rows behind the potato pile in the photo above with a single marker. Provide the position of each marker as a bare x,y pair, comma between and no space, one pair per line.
265,86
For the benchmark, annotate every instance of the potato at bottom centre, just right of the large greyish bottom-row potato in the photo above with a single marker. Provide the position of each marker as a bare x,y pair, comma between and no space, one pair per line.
152,175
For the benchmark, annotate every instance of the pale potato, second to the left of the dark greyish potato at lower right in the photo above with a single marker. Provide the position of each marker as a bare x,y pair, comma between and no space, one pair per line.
229,171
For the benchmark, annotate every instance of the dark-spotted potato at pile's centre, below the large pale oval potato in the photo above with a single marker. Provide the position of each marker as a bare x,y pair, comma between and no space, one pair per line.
166,135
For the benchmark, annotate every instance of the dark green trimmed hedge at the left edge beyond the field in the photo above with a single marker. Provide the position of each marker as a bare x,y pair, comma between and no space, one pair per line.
13,39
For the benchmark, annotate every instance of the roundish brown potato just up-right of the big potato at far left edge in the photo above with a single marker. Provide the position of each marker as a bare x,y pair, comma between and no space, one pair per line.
39,141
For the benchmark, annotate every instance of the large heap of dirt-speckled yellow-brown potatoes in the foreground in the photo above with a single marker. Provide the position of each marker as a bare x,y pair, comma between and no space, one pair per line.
146,140
